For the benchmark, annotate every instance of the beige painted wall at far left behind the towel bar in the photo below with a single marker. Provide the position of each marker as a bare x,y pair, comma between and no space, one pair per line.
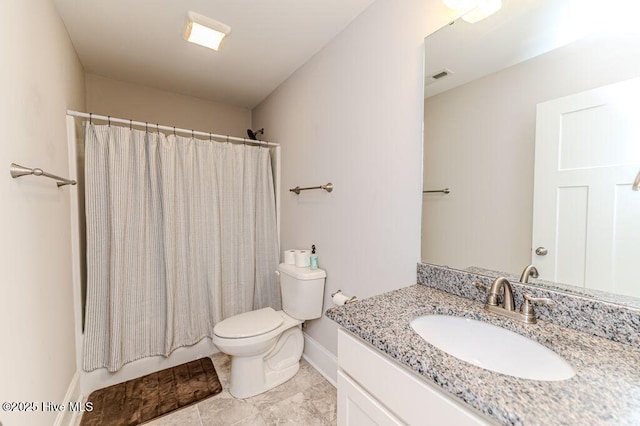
40,78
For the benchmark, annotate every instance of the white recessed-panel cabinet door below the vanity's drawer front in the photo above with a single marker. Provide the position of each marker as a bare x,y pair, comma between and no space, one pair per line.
357,408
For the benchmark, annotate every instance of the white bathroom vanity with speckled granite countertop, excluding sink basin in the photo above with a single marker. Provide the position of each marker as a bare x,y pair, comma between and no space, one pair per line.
388,374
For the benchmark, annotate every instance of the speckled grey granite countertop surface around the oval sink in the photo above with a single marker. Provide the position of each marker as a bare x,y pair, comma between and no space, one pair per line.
605,389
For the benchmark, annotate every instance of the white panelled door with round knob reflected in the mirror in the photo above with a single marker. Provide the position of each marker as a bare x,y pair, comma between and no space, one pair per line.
587,156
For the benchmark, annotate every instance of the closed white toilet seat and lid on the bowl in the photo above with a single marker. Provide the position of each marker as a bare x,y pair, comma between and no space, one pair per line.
248,324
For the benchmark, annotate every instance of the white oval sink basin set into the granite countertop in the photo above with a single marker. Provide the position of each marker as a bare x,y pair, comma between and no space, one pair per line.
492,348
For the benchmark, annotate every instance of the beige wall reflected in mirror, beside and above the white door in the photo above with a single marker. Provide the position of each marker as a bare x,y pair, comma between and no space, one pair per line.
480,140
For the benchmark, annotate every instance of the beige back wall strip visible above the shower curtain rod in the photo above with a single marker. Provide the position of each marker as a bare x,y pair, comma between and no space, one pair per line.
106,96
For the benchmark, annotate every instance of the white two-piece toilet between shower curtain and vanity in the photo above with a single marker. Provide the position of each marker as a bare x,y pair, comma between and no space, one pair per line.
266,345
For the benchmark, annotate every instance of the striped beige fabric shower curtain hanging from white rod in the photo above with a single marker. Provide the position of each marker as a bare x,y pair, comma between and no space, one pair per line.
181,233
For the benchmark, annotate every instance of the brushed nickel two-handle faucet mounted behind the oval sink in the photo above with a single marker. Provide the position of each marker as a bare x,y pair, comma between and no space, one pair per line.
502,287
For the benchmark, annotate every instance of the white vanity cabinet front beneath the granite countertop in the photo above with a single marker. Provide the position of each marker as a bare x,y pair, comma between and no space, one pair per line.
374,390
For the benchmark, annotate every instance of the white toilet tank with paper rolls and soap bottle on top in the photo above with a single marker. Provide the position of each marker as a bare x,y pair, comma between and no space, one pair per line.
302,291
